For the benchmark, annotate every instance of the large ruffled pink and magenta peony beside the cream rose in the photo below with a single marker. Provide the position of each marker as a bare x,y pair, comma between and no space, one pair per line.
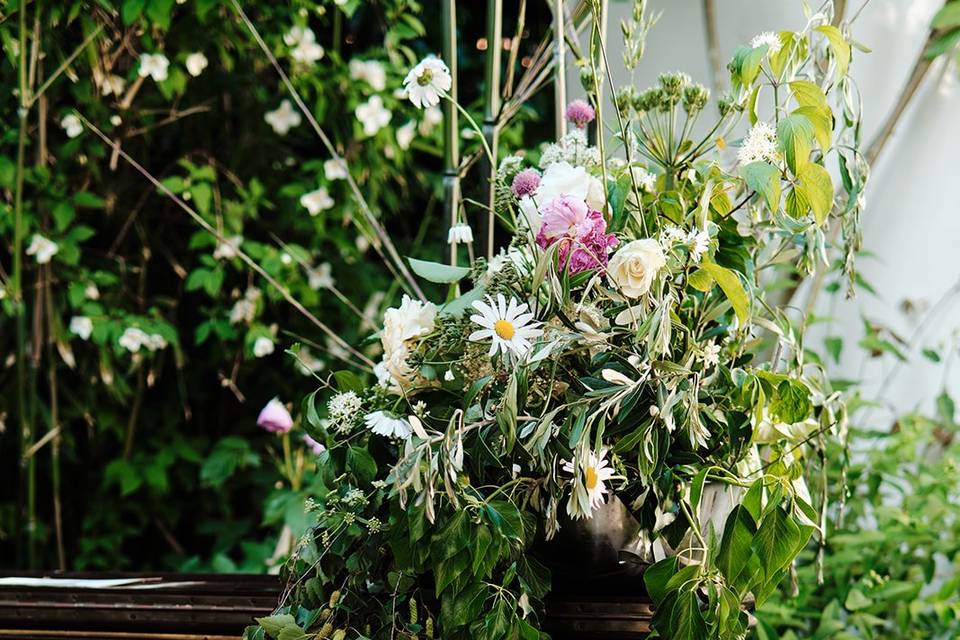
581,232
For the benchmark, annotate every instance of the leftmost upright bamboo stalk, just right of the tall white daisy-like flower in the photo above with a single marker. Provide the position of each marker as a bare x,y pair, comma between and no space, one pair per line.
451,133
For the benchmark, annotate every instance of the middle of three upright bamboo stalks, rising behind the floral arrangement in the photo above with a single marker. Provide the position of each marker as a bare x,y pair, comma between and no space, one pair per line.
491,112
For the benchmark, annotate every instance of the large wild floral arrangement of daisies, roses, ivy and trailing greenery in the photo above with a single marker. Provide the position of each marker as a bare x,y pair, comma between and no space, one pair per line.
626,349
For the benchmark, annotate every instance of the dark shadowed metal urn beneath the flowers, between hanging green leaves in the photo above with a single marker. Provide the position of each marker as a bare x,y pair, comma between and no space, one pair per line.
597,566
